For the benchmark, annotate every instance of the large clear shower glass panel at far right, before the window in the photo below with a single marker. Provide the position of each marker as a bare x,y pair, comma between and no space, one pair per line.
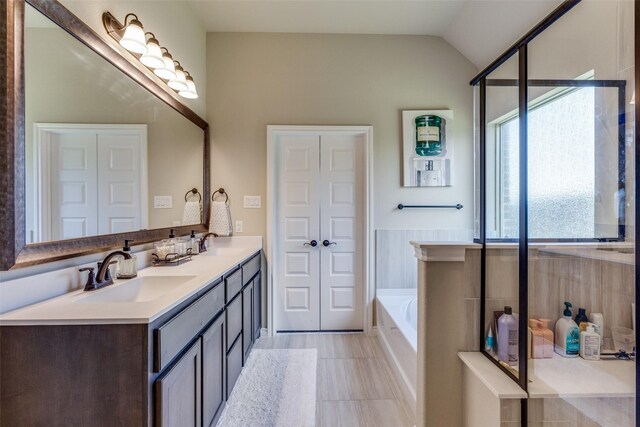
580,234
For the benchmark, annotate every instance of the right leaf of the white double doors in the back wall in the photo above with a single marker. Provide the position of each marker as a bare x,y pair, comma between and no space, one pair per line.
341,224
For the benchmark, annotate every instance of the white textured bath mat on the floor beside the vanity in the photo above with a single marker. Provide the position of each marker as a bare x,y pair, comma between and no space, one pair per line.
275,388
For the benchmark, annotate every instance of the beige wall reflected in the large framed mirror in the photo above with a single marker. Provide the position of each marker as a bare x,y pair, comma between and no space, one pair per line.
71,84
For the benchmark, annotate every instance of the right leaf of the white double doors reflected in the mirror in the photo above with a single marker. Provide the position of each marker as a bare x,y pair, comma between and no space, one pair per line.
119,186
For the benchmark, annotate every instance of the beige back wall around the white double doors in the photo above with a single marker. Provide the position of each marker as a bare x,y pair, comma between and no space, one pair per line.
254,80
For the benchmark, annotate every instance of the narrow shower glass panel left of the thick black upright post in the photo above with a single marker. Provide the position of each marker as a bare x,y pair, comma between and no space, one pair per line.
501,288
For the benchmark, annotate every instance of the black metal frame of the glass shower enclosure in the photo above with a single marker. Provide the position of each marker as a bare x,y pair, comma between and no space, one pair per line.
523,84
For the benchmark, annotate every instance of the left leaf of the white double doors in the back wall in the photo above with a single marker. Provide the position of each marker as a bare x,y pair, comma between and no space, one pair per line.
298,269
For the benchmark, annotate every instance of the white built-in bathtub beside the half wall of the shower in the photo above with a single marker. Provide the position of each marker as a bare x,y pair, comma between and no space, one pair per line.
397,319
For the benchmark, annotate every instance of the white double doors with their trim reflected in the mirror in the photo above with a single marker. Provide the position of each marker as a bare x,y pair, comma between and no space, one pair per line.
92,180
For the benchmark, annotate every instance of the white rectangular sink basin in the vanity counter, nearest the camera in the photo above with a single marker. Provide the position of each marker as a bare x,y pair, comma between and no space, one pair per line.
141,289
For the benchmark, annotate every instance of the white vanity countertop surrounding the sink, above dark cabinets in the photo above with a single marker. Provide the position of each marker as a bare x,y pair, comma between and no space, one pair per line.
72,310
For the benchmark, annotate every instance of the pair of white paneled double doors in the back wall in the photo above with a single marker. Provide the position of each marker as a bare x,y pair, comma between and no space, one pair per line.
319,197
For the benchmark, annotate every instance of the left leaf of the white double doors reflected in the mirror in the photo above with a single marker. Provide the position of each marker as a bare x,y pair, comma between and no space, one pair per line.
74,176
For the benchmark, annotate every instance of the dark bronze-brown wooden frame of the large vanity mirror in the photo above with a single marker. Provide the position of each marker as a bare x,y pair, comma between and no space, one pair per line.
14,252
